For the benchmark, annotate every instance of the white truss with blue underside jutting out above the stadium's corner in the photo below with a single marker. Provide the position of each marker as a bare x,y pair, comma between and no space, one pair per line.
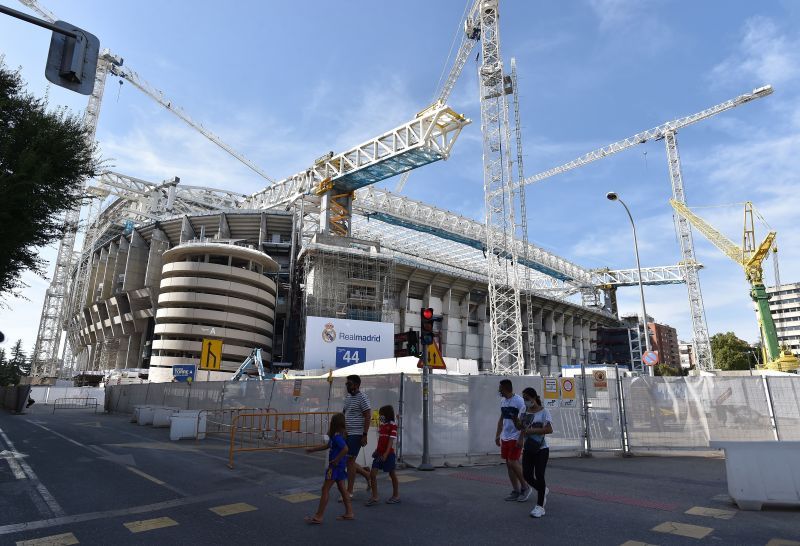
427,138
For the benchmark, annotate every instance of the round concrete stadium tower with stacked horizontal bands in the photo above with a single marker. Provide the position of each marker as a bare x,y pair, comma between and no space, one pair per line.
217,291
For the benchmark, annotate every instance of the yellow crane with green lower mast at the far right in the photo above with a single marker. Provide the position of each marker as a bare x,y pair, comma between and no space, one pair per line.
750,257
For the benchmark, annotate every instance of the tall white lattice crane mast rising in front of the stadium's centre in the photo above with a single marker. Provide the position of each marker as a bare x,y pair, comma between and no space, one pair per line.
504,308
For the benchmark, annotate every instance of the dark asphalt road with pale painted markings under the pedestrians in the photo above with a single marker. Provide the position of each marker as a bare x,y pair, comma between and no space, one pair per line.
97,479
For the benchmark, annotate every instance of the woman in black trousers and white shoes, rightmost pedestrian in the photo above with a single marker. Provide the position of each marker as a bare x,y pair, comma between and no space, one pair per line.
535,423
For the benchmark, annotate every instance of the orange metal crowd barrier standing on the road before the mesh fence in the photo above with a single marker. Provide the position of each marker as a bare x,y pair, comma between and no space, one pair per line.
267,431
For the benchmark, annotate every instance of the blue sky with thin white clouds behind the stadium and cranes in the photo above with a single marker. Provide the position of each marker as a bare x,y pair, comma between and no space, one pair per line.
284,83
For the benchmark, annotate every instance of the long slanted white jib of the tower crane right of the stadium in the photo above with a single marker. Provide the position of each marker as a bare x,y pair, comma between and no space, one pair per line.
655,133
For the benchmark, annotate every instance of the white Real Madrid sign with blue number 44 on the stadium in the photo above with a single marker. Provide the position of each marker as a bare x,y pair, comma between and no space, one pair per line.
335,343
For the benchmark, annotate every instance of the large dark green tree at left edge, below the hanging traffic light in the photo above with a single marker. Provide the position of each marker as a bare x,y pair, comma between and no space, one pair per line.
45,156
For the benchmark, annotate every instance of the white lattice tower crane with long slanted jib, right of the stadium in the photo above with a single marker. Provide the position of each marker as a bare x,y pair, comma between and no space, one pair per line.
667,131
